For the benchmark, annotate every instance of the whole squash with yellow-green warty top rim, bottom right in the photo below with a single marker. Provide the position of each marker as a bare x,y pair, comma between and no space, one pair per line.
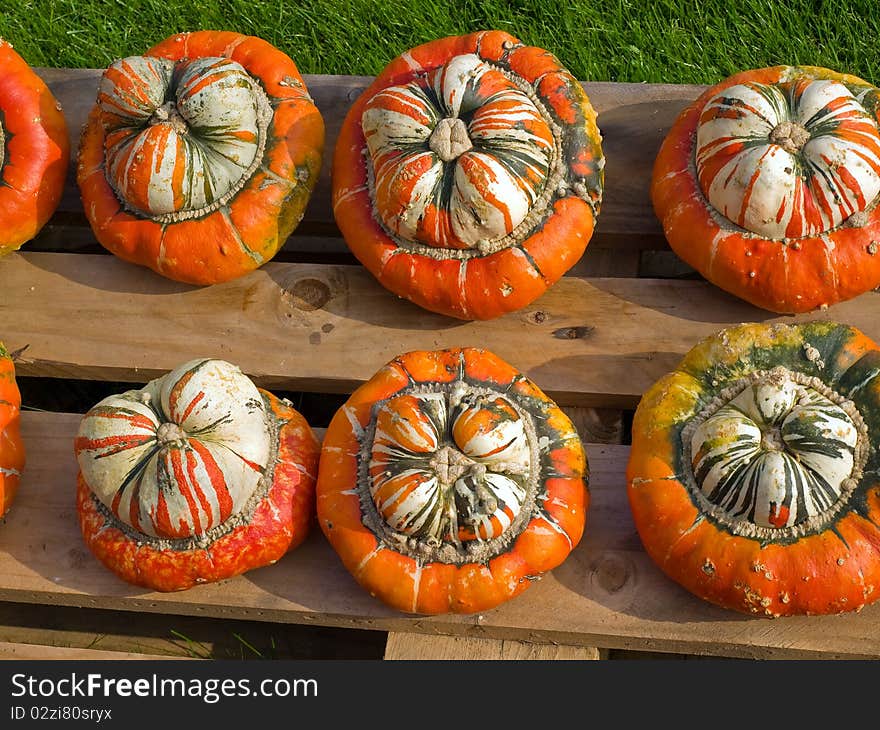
753,470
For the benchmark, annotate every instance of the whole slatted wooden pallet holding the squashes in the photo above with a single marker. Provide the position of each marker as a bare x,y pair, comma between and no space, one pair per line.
314,321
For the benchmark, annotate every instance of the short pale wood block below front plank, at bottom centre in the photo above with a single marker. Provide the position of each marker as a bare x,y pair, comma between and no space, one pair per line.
403,646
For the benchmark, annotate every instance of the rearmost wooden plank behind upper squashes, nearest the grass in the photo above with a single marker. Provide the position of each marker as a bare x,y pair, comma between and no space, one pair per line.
633,118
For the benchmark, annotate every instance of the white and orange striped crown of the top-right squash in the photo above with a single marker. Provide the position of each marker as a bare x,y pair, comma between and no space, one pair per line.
788,160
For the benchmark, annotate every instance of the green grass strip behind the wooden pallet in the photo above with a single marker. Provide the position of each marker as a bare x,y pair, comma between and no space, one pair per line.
627,40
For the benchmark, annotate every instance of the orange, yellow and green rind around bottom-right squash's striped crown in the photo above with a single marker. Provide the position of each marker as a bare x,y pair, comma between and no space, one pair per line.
826,563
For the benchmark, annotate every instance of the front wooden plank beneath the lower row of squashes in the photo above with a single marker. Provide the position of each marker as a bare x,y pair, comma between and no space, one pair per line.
607,594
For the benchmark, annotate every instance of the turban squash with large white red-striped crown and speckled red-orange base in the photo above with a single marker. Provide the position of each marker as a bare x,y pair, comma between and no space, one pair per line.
197,477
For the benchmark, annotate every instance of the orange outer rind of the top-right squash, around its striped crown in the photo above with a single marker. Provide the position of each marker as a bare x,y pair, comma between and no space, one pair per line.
787,275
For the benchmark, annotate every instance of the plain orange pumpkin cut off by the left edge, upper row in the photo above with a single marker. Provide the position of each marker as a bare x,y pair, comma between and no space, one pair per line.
34,151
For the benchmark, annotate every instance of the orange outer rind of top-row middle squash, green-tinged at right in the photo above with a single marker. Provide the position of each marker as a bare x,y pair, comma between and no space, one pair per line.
481,282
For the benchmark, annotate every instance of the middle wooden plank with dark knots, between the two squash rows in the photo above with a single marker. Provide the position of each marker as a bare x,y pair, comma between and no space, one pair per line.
328,328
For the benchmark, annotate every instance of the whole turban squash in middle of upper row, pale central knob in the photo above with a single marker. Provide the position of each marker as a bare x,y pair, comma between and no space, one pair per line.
468,176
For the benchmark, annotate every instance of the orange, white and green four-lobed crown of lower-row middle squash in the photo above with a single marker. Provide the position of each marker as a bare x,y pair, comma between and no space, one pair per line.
449,468
